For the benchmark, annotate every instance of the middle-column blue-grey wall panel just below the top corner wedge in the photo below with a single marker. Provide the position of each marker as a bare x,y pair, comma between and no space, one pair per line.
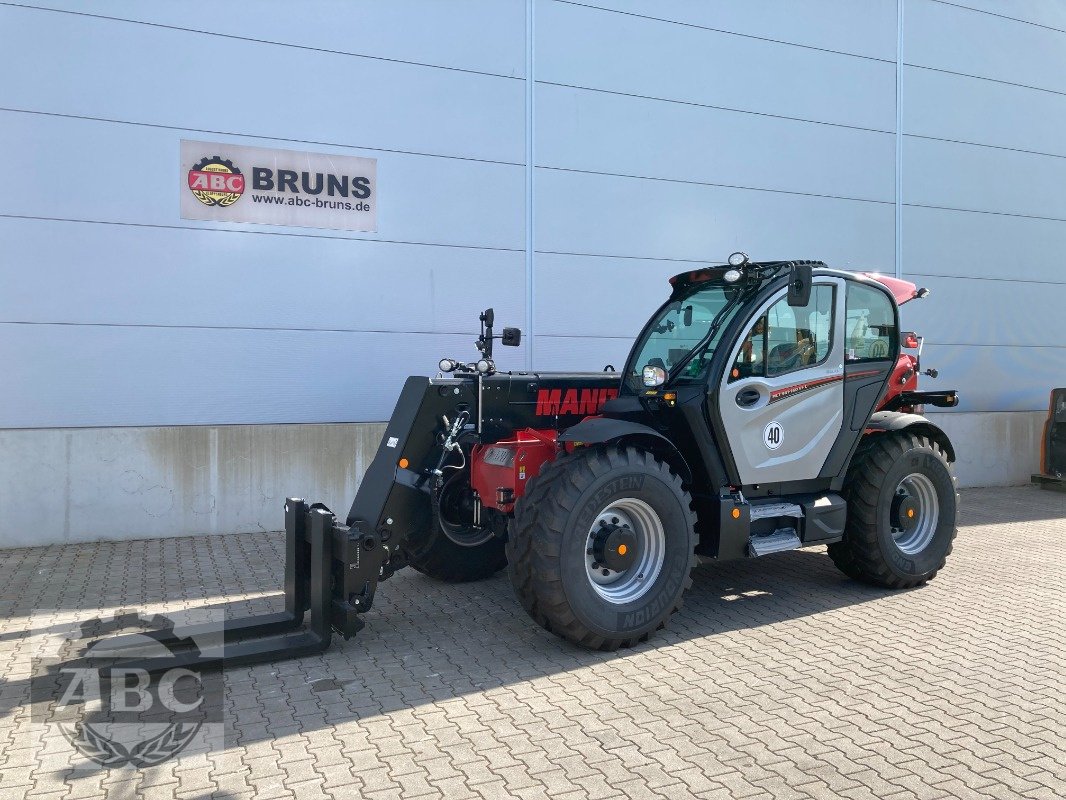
599,50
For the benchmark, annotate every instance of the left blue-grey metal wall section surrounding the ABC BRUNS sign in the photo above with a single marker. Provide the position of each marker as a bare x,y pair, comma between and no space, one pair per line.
143,318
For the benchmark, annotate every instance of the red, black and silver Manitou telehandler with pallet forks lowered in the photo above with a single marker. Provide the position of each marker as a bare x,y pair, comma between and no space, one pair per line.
764,408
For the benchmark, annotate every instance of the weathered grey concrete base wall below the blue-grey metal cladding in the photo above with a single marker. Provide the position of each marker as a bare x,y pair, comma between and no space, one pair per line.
95,484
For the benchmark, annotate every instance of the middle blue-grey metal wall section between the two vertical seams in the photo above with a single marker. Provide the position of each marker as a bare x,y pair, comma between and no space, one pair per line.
673,134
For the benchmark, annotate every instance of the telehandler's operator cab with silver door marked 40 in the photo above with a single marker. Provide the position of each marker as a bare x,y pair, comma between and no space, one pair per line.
786,362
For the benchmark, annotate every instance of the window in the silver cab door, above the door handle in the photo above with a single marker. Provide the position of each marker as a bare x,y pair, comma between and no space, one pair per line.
788,339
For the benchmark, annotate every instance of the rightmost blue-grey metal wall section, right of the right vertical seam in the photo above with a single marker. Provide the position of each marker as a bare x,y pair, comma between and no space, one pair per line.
984,215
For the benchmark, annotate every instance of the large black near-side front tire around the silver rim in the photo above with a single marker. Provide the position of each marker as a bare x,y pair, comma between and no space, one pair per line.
550,541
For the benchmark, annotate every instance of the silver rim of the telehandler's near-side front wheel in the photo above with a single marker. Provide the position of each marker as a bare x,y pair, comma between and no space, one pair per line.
628,585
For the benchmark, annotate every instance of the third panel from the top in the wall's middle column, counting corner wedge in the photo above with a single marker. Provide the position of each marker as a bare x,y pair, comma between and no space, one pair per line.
602,133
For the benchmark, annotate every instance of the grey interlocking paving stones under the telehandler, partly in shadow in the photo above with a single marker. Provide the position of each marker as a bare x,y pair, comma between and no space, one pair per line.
780,679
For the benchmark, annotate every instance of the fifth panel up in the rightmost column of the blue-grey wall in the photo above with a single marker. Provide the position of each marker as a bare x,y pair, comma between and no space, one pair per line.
961,108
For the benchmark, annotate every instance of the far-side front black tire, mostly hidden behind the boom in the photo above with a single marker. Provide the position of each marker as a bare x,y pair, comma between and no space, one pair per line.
432,553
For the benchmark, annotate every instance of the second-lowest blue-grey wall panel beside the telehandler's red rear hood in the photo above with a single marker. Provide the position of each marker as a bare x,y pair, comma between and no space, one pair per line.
994,313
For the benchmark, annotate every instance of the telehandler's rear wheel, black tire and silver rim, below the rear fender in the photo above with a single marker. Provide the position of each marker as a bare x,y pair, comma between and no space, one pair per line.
892,476
